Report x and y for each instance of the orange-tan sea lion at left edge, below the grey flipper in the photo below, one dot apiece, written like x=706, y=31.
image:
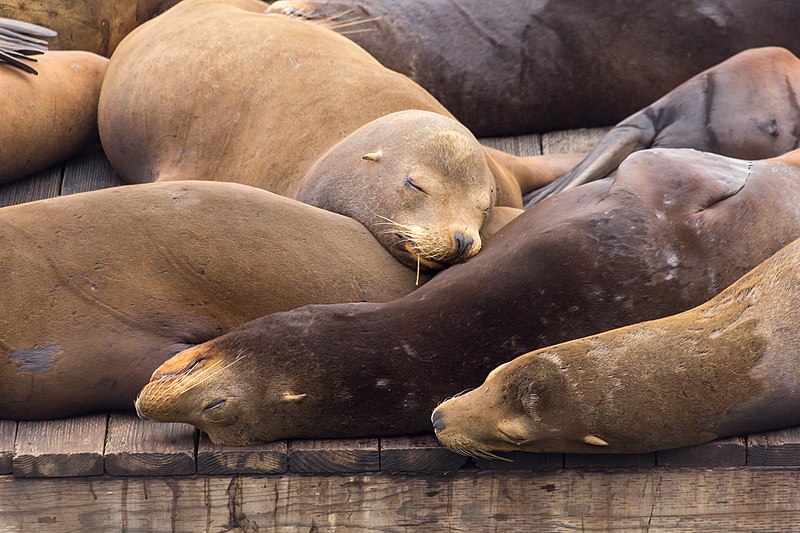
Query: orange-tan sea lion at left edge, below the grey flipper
x=49, y=117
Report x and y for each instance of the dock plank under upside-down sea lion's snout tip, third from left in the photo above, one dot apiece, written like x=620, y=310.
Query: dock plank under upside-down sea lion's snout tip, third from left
x=136, y=447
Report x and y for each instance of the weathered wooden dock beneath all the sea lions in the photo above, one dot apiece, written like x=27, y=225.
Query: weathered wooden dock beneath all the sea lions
x=114, y=472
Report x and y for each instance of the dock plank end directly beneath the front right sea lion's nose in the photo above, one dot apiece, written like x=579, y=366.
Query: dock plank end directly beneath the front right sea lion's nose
x=421, y=453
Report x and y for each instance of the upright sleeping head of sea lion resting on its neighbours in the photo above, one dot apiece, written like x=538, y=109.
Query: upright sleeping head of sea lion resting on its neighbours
x=417, y=180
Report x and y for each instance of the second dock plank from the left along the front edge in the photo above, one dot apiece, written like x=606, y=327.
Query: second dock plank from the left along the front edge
x=60, y=448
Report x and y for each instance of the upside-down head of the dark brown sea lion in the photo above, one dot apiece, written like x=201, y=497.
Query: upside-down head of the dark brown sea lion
x=222, y=389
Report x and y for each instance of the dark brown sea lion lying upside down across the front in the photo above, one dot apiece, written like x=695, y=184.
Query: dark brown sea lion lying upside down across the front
x=661, y=238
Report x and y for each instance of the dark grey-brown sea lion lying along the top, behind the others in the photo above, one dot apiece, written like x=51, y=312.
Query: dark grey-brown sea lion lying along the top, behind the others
x=511, y=67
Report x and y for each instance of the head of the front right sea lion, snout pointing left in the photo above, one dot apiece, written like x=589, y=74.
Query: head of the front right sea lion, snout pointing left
x=528, y=404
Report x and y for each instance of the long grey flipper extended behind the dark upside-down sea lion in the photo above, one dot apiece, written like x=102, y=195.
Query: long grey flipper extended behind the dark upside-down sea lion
x=631, y=135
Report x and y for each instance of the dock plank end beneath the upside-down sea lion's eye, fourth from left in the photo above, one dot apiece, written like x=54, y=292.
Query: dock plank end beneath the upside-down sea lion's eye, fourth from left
x=270, y=458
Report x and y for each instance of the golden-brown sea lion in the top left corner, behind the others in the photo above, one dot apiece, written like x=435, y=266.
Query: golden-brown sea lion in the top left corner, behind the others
x=91, y=25
